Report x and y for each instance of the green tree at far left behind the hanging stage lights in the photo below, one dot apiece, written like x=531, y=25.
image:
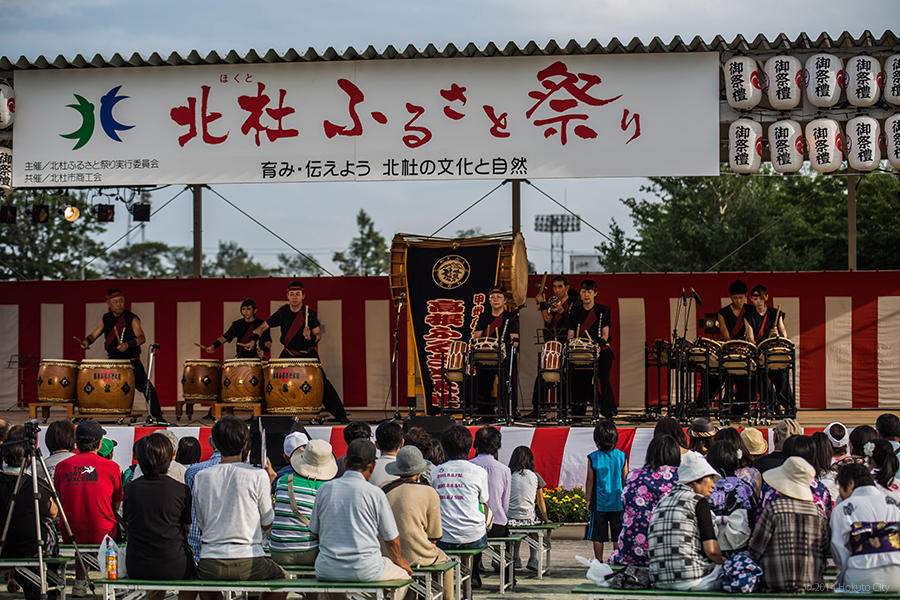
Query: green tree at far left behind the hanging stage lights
x=56, y=249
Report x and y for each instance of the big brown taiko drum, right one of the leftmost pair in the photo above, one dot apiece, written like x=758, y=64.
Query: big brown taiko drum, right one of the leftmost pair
x=105, y=387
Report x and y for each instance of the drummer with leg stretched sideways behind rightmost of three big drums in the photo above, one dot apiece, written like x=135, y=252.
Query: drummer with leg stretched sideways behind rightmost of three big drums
x=300, y=334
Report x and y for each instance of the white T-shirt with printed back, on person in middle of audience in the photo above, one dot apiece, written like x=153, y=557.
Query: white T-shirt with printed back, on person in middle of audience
x=462, y=488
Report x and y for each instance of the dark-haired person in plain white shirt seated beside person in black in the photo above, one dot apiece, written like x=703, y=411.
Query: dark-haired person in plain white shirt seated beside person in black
x=233, y=505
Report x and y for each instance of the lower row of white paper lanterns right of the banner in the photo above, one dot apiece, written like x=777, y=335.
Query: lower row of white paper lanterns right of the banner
x=821, y=140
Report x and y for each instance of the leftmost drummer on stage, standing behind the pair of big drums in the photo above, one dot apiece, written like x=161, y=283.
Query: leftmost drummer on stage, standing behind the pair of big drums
x=123, y=338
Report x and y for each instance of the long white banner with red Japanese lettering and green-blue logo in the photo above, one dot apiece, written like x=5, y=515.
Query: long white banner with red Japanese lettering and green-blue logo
x=473, y=118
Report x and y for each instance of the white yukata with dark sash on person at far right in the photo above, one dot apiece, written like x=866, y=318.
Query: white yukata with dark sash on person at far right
x=866, y=504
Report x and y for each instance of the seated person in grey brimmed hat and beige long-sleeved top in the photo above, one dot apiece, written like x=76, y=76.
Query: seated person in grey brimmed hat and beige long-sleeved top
x=417, y=511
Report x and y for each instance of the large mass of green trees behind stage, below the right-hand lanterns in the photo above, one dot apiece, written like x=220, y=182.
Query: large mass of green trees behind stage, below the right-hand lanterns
x=734, y=222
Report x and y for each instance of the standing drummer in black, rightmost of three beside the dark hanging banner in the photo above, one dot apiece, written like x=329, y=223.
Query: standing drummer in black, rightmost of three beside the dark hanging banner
x=592, y=320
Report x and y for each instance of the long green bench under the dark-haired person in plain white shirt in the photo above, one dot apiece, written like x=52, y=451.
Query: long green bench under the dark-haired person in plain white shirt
x=135, y=588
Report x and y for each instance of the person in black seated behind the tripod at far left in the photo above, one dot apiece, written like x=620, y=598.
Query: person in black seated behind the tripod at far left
x=21, y=537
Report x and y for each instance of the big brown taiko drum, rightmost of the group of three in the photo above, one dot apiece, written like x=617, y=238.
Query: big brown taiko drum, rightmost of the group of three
x=294, y=385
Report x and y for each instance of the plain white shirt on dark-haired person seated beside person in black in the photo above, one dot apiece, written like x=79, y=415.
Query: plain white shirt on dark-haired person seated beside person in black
x=232, y=502
